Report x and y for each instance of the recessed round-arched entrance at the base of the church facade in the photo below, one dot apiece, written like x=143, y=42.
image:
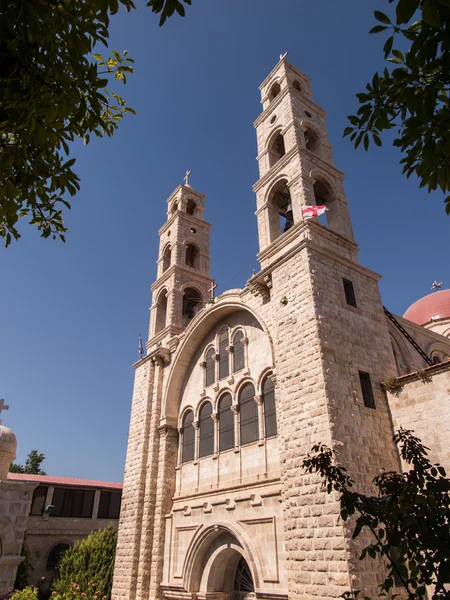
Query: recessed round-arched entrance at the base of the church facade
x=222, y=566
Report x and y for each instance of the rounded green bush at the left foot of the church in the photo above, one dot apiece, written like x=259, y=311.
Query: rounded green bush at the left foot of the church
x=89, y=561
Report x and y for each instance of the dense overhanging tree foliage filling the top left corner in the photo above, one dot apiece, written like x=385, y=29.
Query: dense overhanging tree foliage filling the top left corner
x=54, y=90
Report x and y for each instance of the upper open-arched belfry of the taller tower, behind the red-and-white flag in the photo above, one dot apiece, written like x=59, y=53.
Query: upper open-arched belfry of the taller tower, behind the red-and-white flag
x=295, y=162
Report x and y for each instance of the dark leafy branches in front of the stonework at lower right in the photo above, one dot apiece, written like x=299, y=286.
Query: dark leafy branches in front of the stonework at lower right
x=409, y=519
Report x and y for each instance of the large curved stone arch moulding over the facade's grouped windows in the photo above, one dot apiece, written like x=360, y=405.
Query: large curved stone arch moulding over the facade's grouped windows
x=194, y=336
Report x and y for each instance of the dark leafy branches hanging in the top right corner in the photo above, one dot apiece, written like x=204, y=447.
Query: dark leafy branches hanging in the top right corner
x=414, y=96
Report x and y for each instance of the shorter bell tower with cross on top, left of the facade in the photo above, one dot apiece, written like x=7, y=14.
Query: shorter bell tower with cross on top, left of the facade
x=183, y=285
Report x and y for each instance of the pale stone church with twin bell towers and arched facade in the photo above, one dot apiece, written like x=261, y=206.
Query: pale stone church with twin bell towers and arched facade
x=234, y=391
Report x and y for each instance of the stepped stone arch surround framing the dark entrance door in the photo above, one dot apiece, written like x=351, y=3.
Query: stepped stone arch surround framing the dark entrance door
x=213, y=553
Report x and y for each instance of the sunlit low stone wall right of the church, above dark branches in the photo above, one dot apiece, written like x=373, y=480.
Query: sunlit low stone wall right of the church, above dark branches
x=424, y=407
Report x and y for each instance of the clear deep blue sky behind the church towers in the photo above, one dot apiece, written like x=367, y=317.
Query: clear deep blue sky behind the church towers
x=72, y=313
